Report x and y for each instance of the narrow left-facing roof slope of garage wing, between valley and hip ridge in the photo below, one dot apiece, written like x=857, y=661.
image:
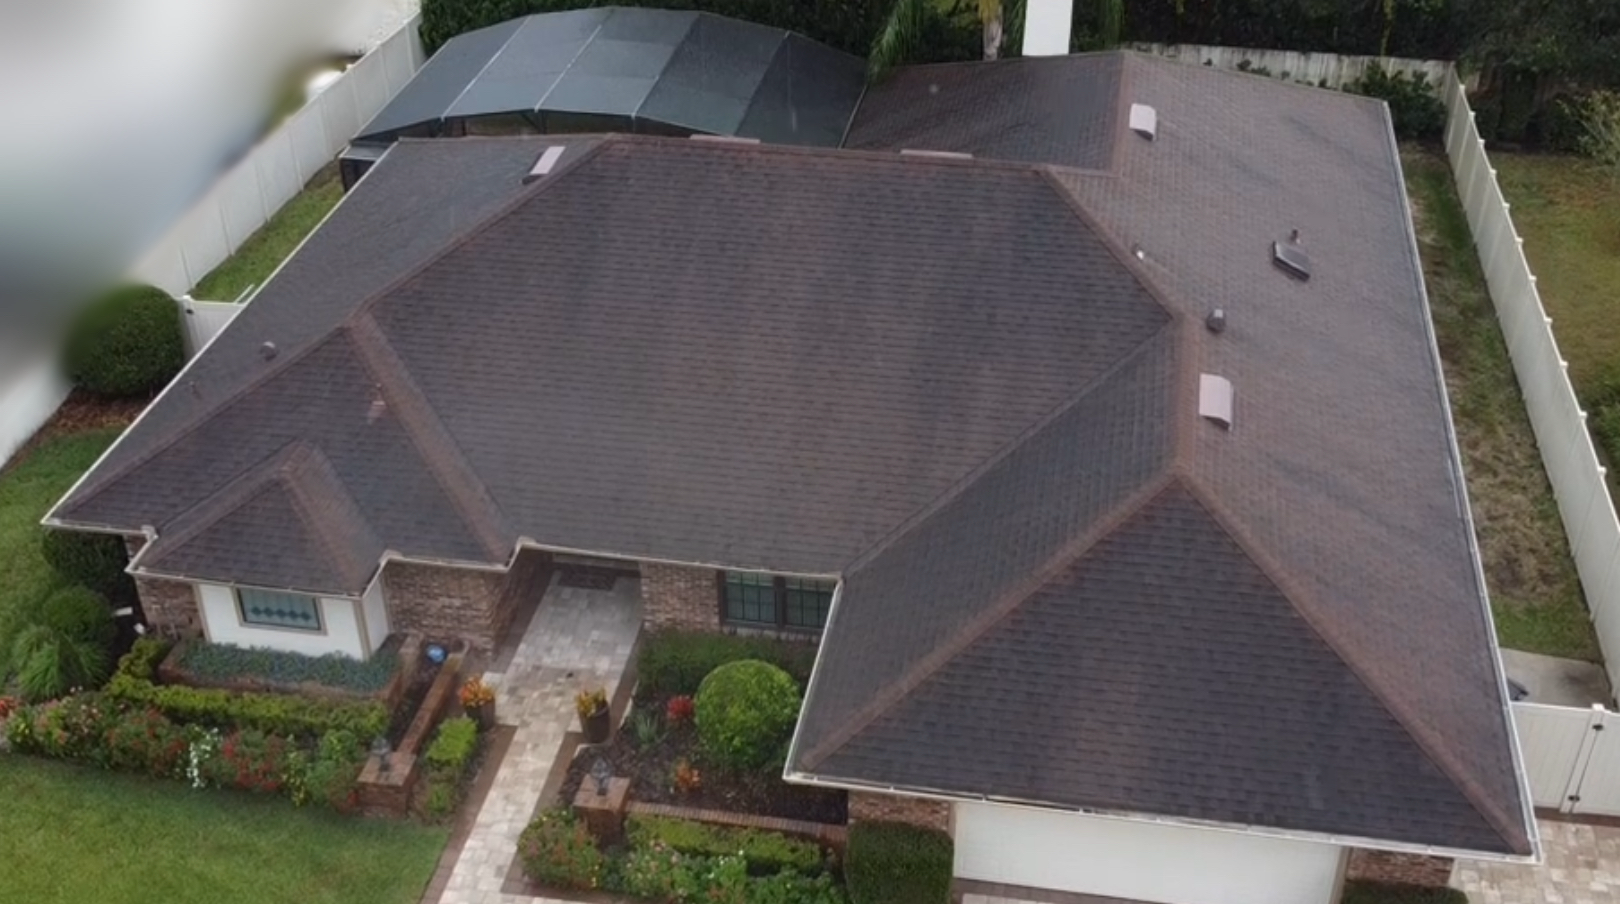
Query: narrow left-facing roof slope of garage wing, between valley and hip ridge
x=950, y=576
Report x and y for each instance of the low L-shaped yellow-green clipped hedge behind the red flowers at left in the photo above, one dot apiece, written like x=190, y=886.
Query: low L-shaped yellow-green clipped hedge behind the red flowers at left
x=273, y=714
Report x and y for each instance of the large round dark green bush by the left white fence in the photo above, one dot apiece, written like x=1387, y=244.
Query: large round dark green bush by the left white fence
x=127, y=344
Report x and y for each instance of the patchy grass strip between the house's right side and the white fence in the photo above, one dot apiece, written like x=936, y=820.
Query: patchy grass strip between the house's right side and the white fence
x=1535, y=592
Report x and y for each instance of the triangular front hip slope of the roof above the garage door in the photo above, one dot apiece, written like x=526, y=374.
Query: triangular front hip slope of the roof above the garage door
x=1164, y=673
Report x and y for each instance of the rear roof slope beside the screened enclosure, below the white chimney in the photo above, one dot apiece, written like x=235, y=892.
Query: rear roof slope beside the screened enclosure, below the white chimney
x=1062, y=111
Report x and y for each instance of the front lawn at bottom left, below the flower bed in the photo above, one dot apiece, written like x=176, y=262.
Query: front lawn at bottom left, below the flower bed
x=74, y=835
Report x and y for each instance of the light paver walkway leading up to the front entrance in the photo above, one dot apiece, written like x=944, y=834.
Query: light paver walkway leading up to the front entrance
x=579, y=639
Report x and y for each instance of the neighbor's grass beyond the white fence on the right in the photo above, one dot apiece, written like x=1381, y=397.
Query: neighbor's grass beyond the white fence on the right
x=1569, y=213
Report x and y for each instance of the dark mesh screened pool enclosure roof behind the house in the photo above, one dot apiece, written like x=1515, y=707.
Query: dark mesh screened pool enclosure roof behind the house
x=636, y=70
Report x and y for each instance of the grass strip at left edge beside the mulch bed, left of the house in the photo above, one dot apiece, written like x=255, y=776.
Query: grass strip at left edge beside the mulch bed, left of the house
x=27, y=493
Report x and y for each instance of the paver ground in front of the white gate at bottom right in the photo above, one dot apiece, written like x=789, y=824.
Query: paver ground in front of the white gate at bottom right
x=1584, y=868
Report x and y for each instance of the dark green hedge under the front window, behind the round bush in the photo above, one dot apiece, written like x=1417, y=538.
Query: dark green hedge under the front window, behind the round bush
x=676, y=663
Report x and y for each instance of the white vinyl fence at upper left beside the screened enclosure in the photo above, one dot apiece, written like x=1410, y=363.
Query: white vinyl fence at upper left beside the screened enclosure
x=279, y=166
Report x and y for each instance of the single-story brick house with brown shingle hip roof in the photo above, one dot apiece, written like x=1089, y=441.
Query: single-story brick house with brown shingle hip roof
x=1086, y=407
